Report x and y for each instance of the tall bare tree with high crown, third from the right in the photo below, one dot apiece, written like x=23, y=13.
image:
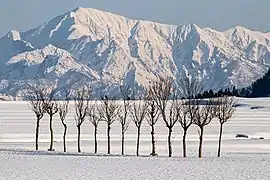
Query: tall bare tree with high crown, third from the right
x=189, y=89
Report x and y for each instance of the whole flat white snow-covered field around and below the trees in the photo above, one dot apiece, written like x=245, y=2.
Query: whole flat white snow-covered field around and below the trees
x=241, y=158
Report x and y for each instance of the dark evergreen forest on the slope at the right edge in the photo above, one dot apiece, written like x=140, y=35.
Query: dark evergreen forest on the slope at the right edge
x=259, y=88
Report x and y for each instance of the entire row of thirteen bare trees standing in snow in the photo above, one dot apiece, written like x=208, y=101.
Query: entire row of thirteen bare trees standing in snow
x=162, y=100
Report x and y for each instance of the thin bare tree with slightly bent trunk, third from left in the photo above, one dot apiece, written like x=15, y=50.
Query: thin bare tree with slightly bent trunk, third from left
x=63, y=107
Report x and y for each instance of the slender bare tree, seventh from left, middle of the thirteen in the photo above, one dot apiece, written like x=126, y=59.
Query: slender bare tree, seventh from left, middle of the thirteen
x=124, y=113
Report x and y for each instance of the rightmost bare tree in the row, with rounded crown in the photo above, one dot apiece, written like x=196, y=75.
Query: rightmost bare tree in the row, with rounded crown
x=225, y=108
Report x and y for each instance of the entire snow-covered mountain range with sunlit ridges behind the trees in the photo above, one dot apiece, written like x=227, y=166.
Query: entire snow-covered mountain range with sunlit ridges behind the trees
x=104, y=49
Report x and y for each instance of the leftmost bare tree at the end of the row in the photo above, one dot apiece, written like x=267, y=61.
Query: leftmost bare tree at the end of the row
x=36, y=98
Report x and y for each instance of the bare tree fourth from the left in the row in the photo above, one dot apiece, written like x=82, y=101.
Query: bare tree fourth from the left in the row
x=82, y=99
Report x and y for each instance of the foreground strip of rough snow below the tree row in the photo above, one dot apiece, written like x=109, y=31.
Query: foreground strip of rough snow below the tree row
x=32, y=165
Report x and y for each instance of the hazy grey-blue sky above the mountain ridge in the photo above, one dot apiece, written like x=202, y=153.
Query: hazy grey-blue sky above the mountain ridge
x=218, y=14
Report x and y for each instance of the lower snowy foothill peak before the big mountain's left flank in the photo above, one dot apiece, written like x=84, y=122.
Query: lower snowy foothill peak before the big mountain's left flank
x=50, y=62
